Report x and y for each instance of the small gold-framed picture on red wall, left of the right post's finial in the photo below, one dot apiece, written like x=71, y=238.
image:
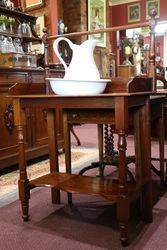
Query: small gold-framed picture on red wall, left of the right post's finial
x=134, y=13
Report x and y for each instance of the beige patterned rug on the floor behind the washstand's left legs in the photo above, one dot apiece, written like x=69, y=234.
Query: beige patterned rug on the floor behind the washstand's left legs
x=80, y=156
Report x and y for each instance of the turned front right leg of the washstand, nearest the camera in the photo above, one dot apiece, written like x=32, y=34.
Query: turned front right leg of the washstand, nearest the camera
x=123, y=203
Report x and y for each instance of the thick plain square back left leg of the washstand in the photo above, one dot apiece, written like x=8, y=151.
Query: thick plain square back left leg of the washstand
x=53, y=151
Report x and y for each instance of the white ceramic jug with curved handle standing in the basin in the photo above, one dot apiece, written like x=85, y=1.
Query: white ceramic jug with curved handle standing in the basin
x=82, y=65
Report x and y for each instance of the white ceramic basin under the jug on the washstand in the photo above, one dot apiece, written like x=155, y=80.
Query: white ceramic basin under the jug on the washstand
x=77, y=87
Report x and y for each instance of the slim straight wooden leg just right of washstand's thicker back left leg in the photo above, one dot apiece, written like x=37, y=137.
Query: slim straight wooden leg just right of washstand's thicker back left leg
x=67, y=149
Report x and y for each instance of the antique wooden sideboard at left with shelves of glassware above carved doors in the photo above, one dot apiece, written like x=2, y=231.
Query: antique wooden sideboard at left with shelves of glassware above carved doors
x=19, y=67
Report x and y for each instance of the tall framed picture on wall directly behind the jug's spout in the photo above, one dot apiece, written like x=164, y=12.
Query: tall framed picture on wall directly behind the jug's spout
x=97, y=19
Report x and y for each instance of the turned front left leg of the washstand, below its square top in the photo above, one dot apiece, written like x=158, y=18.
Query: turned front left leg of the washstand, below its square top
x=24, y=191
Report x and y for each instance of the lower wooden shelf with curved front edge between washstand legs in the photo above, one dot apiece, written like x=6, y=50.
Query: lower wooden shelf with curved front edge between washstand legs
x=83, y=184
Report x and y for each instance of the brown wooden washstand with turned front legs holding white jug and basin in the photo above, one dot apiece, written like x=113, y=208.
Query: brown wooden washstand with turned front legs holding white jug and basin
x=132, y=103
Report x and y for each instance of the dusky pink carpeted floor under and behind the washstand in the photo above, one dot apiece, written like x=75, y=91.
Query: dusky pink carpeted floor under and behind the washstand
x=89, y=225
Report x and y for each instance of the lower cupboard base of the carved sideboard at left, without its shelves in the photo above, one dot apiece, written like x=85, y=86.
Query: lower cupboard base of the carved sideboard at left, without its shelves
x=36, y=130
